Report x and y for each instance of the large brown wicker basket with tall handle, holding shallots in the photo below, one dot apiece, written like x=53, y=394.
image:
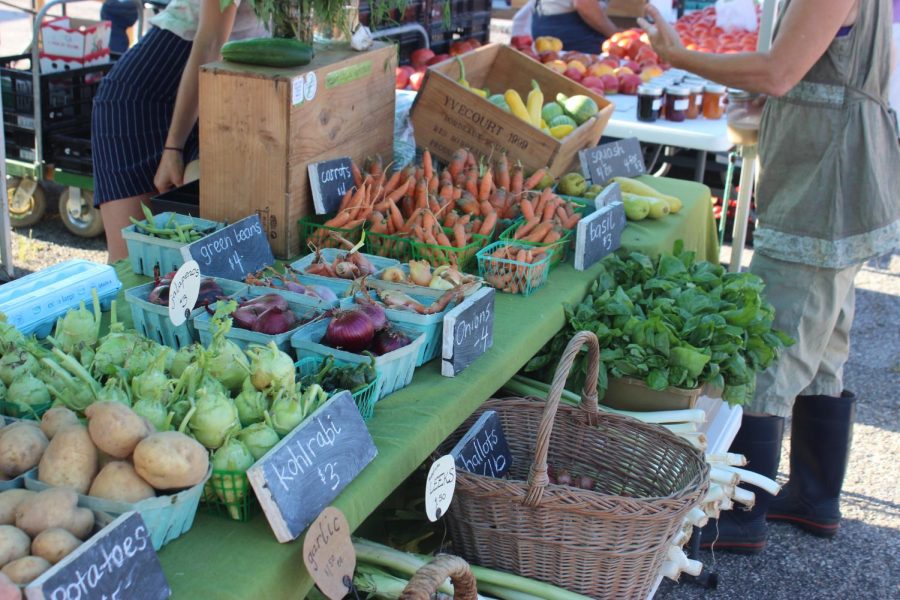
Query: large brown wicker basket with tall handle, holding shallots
x=609, y=542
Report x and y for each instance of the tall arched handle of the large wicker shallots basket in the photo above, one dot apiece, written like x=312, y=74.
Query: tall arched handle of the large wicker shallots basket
x=538, y=478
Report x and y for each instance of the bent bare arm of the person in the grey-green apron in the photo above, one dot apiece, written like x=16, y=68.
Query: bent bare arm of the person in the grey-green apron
x=807, y=29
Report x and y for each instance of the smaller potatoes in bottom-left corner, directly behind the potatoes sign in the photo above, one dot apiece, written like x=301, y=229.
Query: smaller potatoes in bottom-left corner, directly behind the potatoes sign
x=37, y=530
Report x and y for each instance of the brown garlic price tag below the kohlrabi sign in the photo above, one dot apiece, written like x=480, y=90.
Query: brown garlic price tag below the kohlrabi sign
x=328, y=553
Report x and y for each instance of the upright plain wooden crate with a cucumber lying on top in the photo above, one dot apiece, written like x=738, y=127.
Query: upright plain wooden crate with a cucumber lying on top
x=261, y=127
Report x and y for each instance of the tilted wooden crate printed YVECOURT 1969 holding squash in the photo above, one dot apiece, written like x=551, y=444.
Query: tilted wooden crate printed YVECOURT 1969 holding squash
x=446, y=116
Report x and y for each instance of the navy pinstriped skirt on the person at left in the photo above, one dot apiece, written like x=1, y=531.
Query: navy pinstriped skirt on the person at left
x=131, y=116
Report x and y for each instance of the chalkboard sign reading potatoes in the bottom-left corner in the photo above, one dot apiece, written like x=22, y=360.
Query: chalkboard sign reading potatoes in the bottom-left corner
x=118, y=562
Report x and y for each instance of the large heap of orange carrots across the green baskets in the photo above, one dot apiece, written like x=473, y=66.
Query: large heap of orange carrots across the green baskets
x=446, y=207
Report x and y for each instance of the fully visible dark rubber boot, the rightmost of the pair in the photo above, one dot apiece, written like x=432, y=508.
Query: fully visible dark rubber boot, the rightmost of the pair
x=821, y=434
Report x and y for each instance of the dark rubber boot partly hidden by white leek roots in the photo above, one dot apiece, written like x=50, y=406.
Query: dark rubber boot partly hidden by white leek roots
x=744, y=531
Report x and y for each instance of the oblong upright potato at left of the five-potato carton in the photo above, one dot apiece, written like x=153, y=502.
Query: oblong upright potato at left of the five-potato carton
x=70, y=460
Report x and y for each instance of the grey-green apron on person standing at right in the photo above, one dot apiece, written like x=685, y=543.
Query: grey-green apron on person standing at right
x=829, y=180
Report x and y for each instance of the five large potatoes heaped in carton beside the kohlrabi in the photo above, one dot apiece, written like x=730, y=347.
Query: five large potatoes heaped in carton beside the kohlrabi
x=118, y=456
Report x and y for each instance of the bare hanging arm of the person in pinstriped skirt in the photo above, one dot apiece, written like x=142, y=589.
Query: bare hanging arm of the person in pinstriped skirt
x=212, y=33
